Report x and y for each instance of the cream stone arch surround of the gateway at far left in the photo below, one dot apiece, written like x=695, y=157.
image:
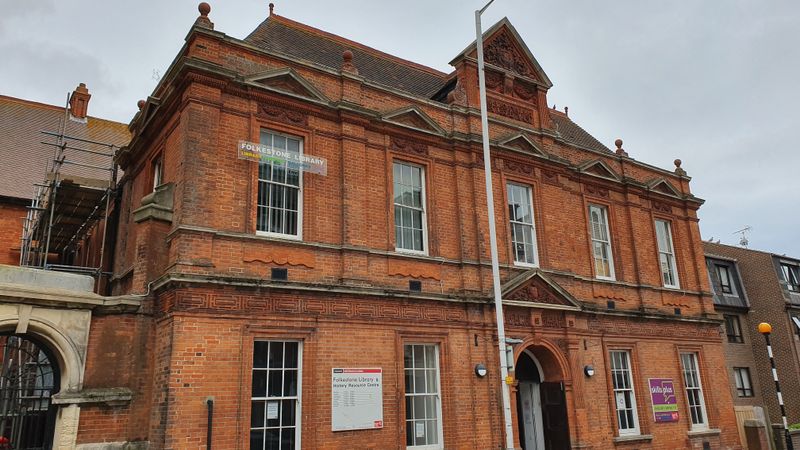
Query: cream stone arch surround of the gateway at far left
x=56, y=309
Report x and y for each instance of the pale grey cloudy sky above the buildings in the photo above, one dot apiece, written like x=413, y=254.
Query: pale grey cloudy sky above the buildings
x=714, y=83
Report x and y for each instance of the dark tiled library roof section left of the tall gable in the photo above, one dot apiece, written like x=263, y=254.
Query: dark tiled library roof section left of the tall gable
x=286, y=37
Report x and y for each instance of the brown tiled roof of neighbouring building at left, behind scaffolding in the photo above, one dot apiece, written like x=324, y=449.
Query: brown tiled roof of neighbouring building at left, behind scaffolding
x=26, y=160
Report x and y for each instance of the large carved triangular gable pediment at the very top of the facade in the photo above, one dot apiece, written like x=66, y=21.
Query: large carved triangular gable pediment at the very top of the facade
x=504, y=48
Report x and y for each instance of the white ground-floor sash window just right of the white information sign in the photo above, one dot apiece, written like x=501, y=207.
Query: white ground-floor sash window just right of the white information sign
x=423, y=404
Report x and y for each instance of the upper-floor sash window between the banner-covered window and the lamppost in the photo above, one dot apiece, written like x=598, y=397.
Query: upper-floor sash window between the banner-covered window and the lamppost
x=409, y=208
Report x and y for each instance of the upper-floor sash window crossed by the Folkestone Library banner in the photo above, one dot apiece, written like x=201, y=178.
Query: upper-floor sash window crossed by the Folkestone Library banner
x=279, y=210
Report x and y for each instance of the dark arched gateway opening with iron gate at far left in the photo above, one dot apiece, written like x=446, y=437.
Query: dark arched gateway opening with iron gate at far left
x=28, y=379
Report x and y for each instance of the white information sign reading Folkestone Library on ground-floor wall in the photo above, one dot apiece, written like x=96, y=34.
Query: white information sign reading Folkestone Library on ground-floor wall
x=357, y=402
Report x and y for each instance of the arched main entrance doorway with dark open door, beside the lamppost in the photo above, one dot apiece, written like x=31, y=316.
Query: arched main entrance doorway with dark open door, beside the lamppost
x=541, y=407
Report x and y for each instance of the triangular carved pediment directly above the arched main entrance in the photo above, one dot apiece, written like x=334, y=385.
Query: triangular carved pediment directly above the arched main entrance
x=534, y=287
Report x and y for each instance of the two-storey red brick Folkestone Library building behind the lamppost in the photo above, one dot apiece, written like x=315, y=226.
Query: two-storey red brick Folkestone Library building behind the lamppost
x=265, y=286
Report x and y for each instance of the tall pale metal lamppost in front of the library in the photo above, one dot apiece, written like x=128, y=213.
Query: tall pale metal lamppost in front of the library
x=498, y=300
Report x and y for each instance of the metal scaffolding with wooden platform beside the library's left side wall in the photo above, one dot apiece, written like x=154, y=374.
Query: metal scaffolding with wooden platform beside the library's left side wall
x=76, y=194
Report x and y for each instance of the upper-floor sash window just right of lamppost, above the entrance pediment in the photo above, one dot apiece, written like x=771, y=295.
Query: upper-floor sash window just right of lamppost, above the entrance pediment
x=523, y=231
